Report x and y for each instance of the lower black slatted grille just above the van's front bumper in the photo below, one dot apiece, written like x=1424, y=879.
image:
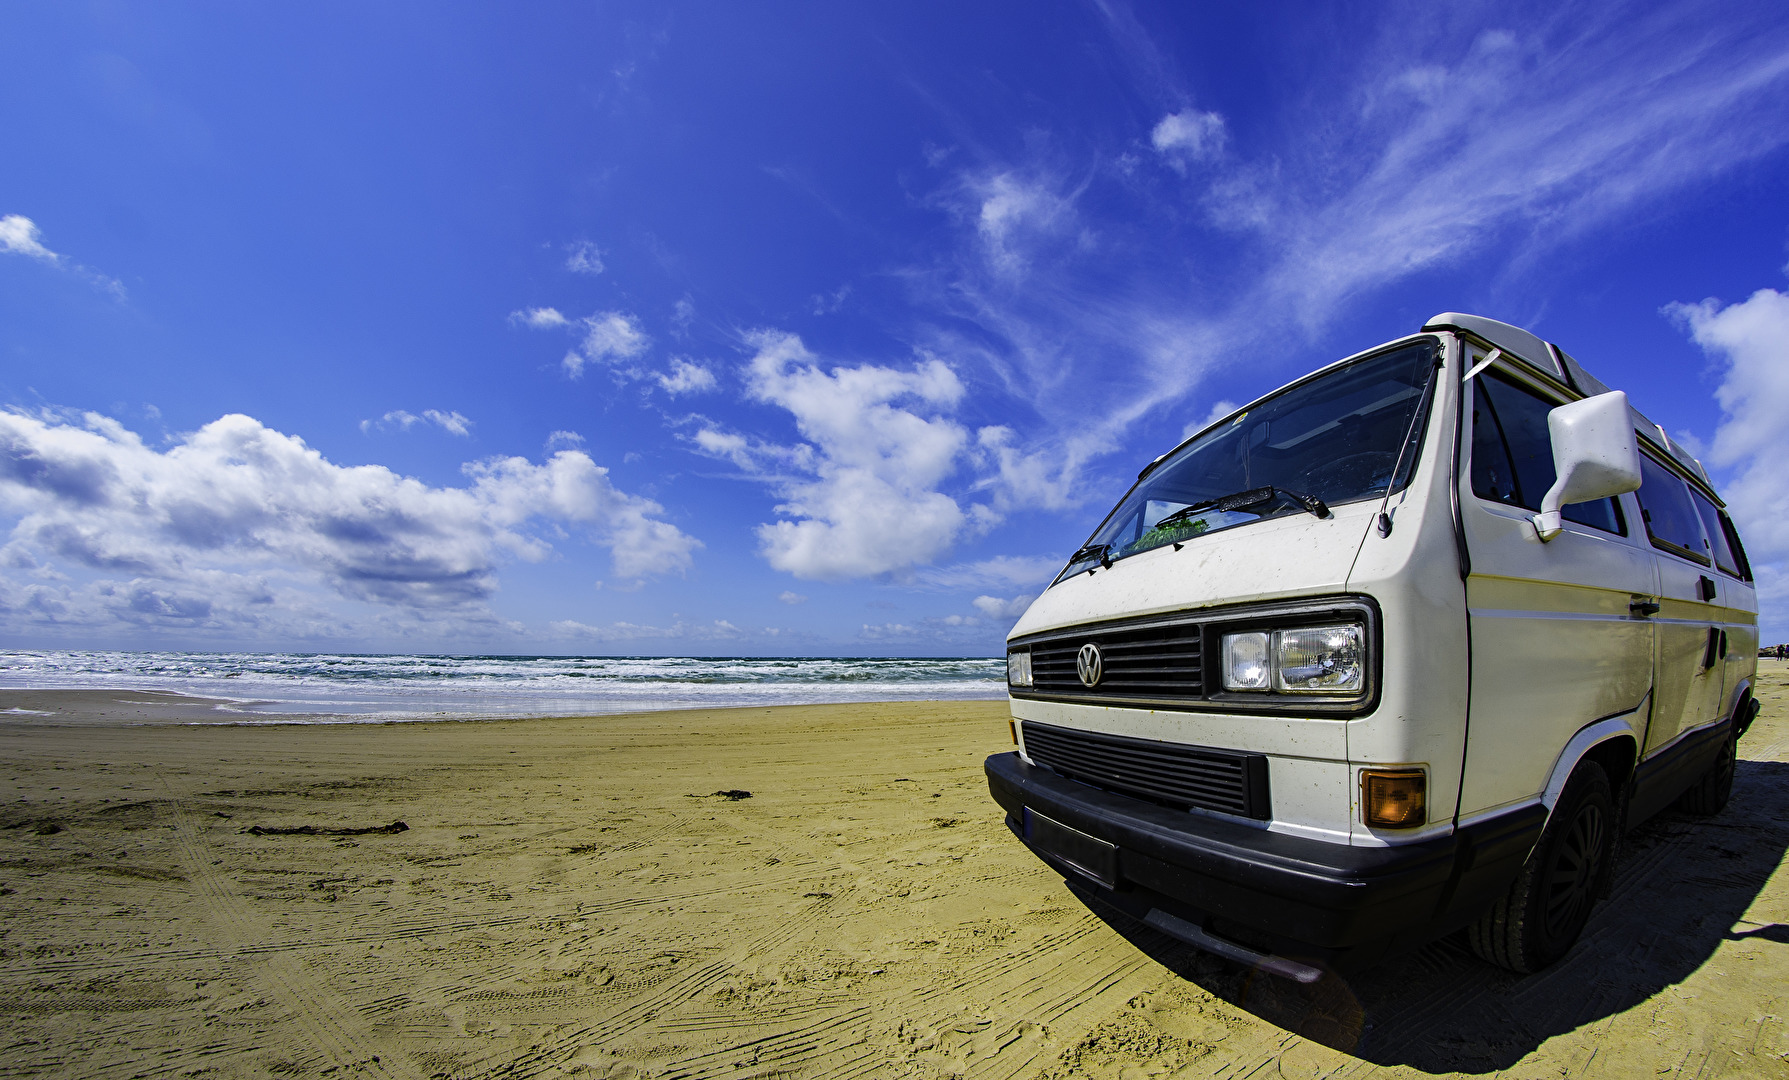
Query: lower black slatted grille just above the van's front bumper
x=1169, y=773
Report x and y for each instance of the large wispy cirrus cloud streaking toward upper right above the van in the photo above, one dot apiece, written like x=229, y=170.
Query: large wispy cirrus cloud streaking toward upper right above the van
x=1445, y=146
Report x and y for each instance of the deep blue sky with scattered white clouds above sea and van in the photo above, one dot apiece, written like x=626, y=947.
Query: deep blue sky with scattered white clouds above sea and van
x=720, y=328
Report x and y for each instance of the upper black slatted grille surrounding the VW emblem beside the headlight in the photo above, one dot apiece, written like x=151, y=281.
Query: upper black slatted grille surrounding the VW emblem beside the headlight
x=1135, y=662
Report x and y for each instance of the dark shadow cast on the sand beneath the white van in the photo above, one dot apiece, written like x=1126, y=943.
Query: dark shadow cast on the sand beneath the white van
x=1681, y=888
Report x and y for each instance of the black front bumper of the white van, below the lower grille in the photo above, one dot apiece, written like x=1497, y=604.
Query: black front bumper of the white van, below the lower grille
x=1275, y=890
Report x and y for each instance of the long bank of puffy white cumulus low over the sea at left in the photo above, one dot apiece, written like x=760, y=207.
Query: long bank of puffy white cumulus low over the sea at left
x=237, y=516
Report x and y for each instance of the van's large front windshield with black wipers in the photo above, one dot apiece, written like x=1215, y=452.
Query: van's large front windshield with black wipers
x=1334, y=439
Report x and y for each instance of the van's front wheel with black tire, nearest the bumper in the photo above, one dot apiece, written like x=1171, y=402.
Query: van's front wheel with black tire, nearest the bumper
x=1547, y=907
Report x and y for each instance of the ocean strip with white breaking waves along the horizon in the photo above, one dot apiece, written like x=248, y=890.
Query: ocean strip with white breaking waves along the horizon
x=344, y=688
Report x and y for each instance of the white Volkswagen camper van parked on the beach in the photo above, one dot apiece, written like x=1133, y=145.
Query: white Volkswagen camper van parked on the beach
x=1393, y=652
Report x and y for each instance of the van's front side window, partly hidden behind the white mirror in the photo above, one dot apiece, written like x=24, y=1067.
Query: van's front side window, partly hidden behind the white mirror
x=1513, y=453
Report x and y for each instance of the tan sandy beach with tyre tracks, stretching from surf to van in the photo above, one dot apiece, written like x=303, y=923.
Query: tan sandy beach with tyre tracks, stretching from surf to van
x=604, y=899
